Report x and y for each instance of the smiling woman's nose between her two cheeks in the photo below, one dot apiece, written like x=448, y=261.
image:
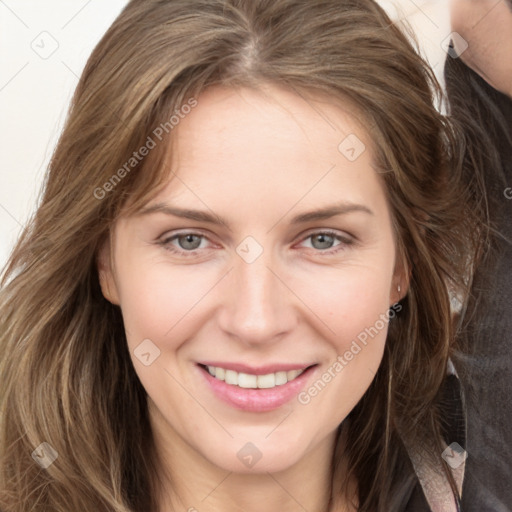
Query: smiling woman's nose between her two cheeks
x=258, y=306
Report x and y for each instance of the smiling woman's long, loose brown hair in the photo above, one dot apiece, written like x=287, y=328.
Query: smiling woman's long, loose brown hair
x=66, y=377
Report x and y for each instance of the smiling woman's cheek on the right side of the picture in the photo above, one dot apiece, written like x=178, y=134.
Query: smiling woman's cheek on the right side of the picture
x=355, y=307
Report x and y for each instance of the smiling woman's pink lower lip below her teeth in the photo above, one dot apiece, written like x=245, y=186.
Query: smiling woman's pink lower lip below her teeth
x=257, y=400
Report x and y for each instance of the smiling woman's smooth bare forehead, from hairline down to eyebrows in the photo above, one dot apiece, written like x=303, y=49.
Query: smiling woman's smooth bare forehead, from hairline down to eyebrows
x=260, y=152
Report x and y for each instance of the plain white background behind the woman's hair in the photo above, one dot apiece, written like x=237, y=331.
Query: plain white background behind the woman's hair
x=35, y=87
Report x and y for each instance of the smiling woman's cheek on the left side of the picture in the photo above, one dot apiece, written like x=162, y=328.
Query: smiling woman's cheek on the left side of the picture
x=159, y=303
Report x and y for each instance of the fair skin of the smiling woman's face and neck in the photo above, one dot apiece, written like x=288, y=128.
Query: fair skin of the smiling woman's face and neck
x=256, y=160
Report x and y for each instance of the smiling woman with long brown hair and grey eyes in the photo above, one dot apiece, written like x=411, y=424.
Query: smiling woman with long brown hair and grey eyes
x=235, y=293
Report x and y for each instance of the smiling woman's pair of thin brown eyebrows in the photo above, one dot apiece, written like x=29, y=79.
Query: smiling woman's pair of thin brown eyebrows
x=324, y=213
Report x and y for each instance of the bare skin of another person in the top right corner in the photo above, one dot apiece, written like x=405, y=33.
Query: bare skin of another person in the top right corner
x=486, y=26
